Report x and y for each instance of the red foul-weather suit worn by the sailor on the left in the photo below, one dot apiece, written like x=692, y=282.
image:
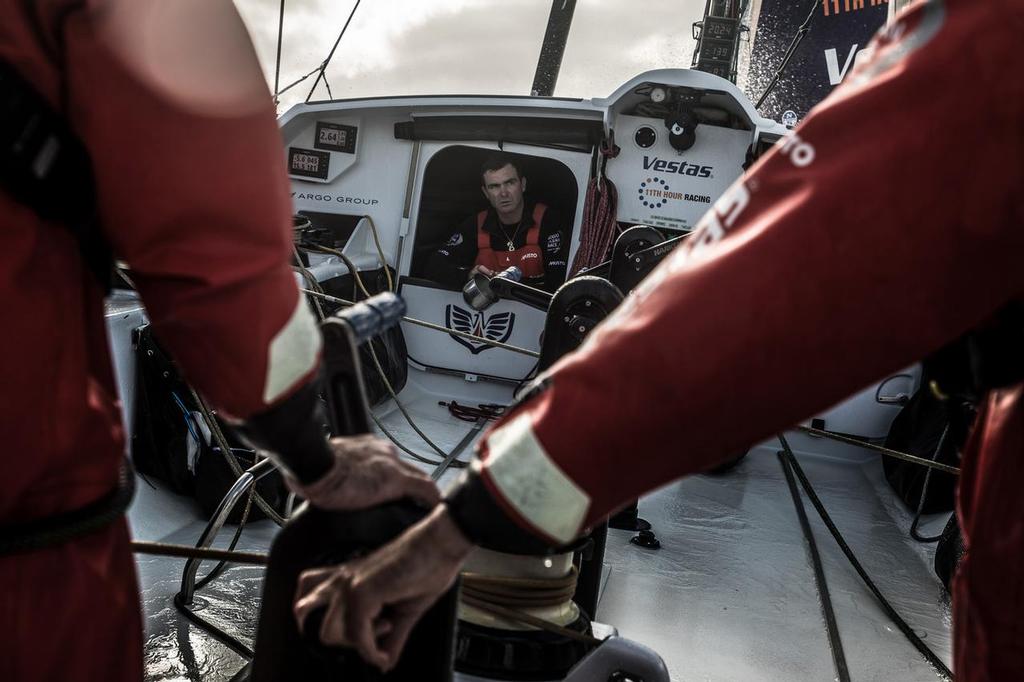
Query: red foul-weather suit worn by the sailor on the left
x=193, y=195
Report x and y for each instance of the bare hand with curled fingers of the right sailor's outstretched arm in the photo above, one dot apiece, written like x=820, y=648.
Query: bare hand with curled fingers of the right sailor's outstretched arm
x=374, y=603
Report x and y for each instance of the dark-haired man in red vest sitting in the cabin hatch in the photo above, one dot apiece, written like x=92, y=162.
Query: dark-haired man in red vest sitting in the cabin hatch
x=514, y=232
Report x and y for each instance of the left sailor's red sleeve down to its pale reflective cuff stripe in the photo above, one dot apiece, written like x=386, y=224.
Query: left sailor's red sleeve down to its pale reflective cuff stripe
x=193, y=194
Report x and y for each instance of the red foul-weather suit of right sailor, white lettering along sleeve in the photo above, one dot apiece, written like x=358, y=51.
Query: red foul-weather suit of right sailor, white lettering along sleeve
x=891, y=223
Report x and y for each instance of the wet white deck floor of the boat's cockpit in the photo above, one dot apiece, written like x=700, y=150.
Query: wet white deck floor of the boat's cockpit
x=730, y=596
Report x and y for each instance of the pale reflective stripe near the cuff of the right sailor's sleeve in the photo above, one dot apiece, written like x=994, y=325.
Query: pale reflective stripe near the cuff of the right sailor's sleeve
x=530, y=481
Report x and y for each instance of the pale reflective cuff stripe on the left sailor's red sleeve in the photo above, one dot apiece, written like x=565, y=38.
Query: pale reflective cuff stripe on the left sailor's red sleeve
x=293, y=353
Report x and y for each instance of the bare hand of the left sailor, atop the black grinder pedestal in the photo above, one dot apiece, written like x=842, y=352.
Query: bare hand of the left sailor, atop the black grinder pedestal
x=367, y=472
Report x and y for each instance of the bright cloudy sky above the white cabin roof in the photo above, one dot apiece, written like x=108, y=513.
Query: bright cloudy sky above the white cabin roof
x=467, y=47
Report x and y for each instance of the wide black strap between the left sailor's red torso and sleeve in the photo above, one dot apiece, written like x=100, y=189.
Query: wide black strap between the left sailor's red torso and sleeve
x=45, y=166
